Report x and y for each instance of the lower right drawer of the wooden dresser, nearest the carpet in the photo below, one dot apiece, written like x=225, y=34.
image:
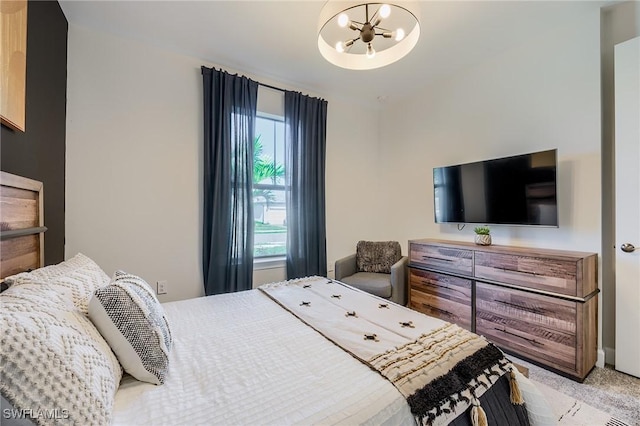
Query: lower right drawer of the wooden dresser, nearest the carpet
x=539, y=327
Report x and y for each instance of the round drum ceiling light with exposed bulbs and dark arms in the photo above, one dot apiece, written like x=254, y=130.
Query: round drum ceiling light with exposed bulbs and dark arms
x=362, y=36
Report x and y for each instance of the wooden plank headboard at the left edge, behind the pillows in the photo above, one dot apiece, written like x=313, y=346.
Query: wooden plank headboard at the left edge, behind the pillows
x=21, y=224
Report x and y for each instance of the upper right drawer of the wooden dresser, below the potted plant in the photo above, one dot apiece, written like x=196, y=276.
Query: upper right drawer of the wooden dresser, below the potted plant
x=549, y=274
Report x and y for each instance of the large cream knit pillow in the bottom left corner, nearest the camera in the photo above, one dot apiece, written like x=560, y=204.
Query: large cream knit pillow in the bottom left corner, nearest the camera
x=53, y=358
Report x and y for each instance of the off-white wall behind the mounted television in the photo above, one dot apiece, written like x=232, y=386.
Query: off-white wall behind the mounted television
x=543, y=95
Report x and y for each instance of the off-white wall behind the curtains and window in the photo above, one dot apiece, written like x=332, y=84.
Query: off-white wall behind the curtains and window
x=134, y=163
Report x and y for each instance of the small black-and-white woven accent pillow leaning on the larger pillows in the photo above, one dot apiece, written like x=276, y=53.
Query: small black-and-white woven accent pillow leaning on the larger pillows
x=131, y=319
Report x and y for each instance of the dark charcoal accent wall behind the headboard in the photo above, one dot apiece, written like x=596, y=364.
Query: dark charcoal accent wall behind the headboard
x=39, y=152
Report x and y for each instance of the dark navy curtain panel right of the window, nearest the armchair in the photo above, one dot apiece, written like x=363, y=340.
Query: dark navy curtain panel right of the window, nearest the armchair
x=305, y=139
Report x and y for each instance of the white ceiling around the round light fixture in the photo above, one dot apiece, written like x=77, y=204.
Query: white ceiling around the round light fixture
x=278, y=39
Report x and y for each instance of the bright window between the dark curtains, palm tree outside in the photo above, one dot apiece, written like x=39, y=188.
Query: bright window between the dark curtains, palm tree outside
x=269, y=205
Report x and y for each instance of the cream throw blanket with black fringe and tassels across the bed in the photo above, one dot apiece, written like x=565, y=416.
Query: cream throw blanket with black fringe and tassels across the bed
x=439, y=367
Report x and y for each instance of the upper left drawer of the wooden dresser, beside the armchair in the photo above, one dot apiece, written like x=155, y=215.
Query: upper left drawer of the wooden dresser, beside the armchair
x=448, y=259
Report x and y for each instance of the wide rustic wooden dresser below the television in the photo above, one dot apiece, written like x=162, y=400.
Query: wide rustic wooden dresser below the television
x=541, y=305
